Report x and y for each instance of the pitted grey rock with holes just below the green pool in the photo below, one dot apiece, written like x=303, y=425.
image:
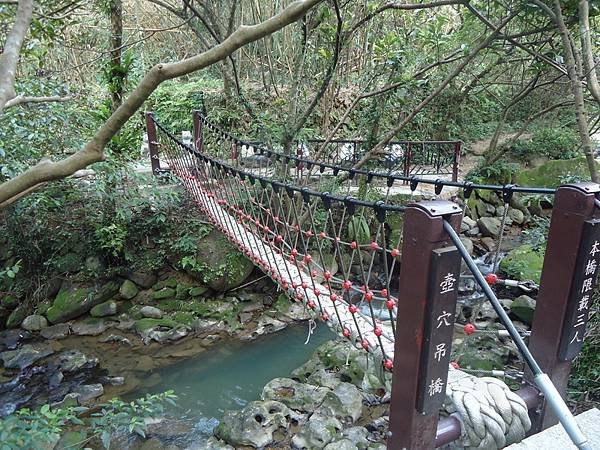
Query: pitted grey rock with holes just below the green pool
x=254, y=425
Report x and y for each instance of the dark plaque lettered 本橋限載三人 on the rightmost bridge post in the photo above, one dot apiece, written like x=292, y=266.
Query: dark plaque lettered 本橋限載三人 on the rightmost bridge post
x=580, y=299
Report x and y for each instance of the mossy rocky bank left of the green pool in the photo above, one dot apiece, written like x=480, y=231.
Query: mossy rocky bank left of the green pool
x=119, y=343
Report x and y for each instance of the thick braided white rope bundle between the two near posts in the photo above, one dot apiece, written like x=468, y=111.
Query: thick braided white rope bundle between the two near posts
x=491, y=415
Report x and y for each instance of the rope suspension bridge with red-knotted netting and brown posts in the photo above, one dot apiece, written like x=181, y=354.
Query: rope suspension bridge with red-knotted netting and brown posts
x=385, y=275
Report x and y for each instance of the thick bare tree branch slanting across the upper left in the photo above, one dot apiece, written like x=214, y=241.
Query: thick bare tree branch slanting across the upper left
x=93, y=151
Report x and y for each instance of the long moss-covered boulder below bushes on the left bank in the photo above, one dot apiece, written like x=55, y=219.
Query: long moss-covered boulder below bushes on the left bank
x=73, y=302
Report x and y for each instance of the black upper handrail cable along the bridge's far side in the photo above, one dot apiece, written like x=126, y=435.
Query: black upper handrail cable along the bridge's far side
x=467, y=186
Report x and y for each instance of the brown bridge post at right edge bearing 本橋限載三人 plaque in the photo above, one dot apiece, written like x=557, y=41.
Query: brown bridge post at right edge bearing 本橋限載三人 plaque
x=562, y=308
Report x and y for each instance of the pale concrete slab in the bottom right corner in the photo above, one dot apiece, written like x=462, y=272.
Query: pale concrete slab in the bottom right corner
x=556, y=437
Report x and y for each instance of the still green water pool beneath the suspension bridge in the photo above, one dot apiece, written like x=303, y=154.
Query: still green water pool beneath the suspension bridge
x=231, y=374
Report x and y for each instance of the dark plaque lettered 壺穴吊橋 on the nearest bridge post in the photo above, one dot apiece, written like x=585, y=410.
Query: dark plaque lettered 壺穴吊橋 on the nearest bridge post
x=438, y=330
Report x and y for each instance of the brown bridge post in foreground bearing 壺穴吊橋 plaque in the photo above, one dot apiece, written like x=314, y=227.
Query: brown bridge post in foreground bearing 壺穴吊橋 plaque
x=413, y=424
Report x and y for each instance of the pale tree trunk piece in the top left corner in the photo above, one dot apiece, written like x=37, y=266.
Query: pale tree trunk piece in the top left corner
x=12, y=47
